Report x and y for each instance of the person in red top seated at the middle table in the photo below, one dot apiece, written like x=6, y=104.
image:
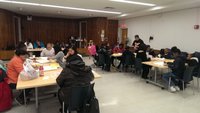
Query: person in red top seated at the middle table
x=117, y=49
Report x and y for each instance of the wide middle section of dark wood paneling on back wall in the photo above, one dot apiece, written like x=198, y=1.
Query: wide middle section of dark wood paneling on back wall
x=49, y=29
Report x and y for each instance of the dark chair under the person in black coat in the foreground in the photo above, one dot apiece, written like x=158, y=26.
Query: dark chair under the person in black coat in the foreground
x=78, y=99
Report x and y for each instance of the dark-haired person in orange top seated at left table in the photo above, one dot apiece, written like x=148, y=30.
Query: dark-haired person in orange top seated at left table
x=14, y=67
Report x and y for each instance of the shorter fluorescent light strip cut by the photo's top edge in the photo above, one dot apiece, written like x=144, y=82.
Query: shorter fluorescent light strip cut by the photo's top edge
x=134, y=2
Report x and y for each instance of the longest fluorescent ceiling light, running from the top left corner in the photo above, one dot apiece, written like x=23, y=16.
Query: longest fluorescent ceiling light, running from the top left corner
x=59, y=7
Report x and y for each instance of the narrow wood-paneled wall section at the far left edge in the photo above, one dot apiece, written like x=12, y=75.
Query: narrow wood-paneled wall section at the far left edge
x=6, y=29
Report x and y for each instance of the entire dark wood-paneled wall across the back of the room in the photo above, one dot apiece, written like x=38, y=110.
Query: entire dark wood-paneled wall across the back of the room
x=54, y=29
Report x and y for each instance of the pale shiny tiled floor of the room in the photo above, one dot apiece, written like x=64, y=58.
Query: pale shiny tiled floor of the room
x=127, y=93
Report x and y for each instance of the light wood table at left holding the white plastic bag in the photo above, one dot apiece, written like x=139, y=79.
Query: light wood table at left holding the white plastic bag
x=48, y=79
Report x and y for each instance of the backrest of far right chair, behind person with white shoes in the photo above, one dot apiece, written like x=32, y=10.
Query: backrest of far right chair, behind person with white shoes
x=187, y=77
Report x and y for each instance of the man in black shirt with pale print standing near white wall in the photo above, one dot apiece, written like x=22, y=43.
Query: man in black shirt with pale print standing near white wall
x=137, y=43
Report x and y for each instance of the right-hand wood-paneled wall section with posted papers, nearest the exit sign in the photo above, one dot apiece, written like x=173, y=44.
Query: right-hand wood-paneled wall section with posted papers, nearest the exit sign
x=95, y=27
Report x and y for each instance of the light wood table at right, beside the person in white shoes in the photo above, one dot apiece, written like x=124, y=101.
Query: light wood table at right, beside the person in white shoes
x=157, y=64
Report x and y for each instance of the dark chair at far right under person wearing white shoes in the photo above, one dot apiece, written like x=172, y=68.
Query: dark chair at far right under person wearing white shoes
x=187, y=77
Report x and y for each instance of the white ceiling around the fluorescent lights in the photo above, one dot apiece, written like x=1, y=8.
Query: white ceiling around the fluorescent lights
x=131, y=9
